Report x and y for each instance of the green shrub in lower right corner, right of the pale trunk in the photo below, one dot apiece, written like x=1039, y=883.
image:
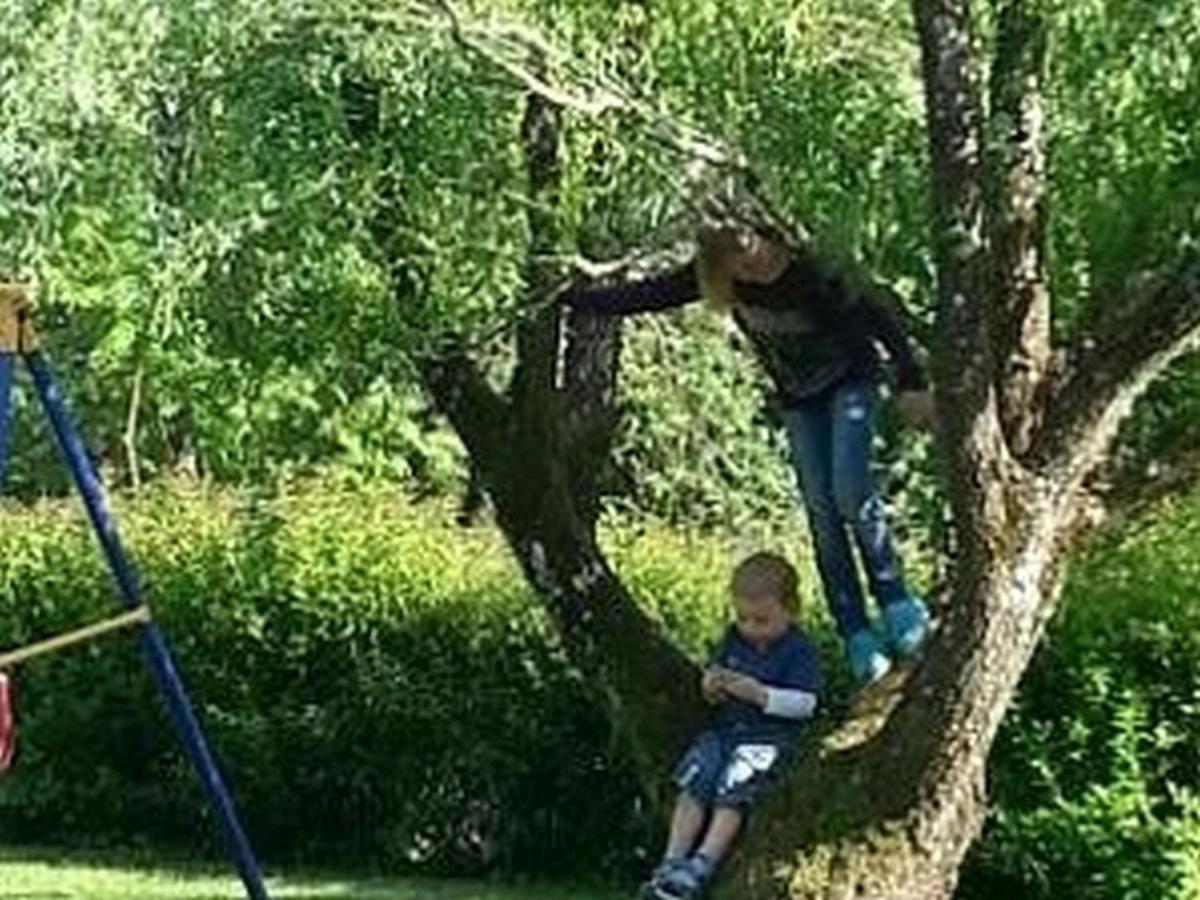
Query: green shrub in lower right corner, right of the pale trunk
x=1096, y=770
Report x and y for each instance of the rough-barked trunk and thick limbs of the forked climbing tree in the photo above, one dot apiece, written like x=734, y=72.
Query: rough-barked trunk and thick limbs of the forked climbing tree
x=885, y=806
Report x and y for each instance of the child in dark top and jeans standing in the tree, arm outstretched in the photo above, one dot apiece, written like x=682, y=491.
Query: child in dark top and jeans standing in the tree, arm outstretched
x=818, y=337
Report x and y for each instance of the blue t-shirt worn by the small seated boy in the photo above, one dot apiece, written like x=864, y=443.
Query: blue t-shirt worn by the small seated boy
x=790, y=662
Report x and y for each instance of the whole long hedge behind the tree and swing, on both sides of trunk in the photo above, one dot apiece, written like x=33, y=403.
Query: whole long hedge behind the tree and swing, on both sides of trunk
x=382, y=687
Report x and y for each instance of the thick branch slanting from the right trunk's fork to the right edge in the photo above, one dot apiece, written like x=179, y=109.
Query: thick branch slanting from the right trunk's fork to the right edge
x=1107, y=373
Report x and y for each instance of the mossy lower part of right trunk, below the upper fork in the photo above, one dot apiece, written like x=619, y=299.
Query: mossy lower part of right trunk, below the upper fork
x=886, y=806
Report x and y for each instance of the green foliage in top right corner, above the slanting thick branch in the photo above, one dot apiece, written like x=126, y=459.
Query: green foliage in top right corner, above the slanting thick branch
x=1125, y=155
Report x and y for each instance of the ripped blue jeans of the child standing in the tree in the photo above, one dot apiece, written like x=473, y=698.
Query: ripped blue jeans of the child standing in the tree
x=831, y=442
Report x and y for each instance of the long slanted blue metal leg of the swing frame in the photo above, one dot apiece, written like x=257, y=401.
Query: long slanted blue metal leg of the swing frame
x=154, y=644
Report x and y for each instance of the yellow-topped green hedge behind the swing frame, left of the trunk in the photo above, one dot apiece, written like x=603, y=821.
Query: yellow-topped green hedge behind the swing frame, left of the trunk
x=344, y=659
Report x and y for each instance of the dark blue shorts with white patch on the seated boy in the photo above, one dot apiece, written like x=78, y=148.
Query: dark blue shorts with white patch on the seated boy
x=727, y=769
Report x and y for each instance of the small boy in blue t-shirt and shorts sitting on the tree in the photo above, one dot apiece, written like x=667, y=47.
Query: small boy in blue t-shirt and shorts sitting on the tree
x=764, y=681
